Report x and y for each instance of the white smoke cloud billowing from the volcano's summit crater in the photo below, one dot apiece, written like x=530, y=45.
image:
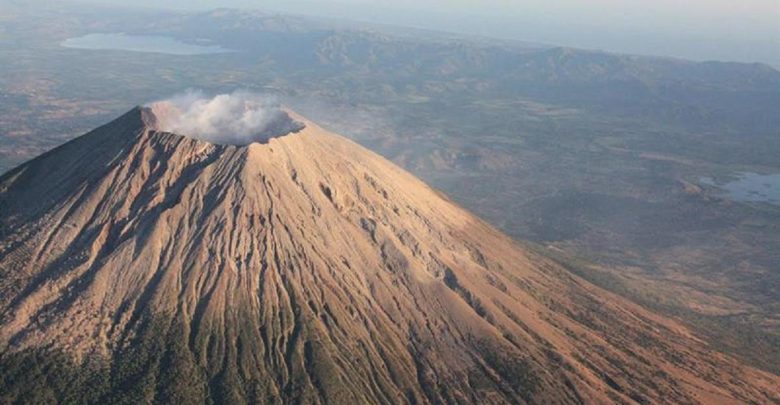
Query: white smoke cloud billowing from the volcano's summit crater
x=238, y=118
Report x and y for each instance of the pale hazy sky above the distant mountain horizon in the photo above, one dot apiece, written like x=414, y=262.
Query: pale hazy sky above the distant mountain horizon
x=739, y=30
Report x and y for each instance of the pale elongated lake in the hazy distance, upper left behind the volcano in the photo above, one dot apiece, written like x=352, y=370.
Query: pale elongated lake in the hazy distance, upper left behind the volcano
x=141, y=43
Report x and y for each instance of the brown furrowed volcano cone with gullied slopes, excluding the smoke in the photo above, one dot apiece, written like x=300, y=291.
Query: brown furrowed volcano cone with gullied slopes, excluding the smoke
x=143, y=266
